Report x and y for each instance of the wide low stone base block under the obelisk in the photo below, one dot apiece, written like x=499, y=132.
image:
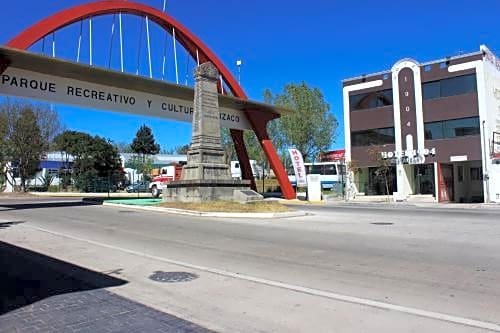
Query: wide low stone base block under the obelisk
x=203, y=190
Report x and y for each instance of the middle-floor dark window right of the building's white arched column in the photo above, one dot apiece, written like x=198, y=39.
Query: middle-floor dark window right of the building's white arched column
x=449, y=129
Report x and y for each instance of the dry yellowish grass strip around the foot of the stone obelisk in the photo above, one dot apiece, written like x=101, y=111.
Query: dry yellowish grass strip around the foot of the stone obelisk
x=229, y=206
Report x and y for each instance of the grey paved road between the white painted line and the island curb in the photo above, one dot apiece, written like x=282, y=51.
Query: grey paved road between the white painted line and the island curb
x=441, y=261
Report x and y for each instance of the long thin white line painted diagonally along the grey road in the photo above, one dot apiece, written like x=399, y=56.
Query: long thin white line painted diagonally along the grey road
x=310, y=291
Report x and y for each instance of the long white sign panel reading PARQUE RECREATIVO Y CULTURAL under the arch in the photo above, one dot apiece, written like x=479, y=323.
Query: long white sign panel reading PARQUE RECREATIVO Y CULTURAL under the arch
x=29, y=84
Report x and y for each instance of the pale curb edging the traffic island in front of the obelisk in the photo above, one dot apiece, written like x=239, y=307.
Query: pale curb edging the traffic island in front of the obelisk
x=208, y=214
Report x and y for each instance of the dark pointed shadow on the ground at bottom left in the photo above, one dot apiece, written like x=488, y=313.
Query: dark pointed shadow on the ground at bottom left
x=27, y=277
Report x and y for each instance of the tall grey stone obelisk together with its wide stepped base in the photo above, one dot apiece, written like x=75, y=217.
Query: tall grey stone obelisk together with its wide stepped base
x=206, y=176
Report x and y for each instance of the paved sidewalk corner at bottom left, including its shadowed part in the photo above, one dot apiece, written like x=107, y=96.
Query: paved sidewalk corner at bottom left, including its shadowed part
x=41, y=294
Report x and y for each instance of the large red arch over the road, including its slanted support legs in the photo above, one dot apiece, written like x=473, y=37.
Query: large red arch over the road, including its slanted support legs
x=191, y=43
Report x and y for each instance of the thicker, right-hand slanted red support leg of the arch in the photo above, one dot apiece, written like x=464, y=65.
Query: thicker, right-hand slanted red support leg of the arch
x=259, y=124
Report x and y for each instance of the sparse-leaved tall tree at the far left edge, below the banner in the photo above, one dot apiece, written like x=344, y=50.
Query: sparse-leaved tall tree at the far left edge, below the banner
x=26, y=132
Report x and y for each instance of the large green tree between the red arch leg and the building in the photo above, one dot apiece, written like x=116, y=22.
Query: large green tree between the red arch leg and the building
x=310, y=127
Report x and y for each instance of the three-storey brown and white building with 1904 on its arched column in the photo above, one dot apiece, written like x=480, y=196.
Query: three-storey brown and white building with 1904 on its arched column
x=427, y=129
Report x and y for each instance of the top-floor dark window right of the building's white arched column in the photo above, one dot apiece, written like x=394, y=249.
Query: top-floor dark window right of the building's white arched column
x=449, y=87
